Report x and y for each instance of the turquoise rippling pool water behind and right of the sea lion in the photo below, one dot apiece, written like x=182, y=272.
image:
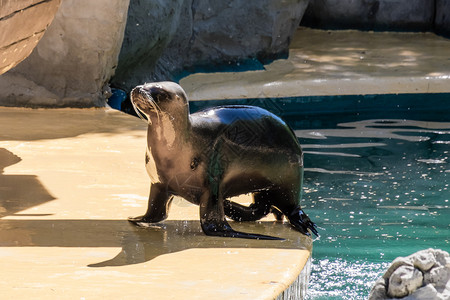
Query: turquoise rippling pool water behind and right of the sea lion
x=376, y=181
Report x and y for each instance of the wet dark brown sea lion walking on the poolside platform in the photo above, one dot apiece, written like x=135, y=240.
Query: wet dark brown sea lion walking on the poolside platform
x=212, y=155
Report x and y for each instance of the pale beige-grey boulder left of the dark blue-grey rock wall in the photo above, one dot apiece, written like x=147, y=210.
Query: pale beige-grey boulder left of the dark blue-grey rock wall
x=74, y=60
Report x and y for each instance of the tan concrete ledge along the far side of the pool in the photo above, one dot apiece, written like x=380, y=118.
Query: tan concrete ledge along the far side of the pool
x=338, y=63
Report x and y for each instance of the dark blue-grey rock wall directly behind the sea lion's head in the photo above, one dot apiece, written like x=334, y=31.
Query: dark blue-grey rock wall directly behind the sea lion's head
x=164, y=37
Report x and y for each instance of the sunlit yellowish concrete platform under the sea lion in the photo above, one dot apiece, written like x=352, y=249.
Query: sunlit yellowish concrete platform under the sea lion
x=69, y=179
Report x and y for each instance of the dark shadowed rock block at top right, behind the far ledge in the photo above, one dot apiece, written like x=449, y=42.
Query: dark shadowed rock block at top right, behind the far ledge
x=371, y=14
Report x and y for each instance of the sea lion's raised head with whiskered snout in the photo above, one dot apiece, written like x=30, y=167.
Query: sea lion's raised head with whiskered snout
x=154, y=99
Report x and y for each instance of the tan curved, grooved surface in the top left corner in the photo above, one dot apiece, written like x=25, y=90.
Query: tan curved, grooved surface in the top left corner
x=22, y=25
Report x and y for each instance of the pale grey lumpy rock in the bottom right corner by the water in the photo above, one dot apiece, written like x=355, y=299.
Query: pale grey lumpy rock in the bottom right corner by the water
x=422, y=275
